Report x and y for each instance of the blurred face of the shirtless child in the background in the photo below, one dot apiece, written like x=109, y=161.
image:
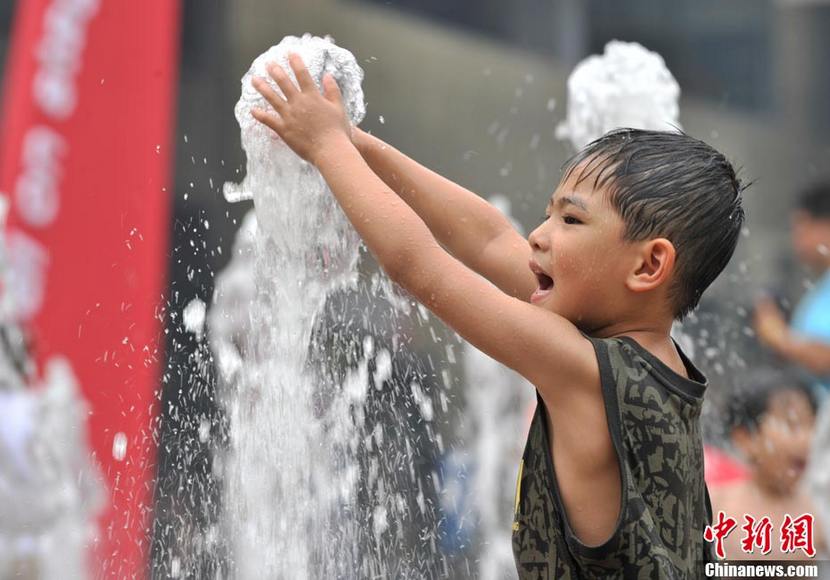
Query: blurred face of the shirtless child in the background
x=779, y=447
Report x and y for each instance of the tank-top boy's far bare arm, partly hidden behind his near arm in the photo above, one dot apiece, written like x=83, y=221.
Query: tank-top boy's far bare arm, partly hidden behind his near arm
x=471, y=229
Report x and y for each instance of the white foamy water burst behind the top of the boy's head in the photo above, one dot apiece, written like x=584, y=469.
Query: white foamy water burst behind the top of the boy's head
x=626, y=86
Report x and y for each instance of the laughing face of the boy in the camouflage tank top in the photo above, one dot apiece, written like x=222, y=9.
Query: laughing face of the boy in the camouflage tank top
x=579, y=255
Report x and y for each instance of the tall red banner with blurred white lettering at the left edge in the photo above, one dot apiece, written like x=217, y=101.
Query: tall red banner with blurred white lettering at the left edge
x=85, y=159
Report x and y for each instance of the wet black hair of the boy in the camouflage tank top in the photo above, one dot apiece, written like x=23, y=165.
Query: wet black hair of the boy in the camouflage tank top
x=667, y=184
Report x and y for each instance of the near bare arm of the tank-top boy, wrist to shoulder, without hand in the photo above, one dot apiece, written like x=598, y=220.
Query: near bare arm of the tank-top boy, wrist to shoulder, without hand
x=526, y=338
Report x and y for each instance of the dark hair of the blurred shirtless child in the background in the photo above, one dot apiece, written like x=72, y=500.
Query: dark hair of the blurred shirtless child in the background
x=751, y=396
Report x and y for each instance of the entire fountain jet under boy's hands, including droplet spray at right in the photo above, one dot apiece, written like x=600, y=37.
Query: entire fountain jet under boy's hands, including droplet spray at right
x=325, y=449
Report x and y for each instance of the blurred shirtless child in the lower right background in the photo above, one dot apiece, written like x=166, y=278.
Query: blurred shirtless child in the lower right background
x=771, y=421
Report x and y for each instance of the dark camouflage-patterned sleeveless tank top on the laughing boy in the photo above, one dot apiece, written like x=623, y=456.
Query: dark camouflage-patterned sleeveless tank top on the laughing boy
x=653, y=418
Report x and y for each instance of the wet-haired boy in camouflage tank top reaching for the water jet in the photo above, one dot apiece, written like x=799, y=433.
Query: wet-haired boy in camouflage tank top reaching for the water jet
x=611, y=484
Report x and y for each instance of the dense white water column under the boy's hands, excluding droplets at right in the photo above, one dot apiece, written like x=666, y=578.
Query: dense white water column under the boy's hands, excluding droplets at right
x=281, y=471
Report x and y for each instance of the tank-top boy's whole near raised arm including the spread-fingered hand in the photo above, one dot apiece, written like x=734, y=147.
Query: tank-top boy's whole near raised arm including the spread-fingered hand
x=532, y=341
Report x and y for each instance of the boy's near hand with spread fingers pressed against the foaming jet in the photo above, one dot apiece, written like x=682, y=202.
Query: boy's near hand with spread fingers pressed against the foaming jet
x=305, y=119
